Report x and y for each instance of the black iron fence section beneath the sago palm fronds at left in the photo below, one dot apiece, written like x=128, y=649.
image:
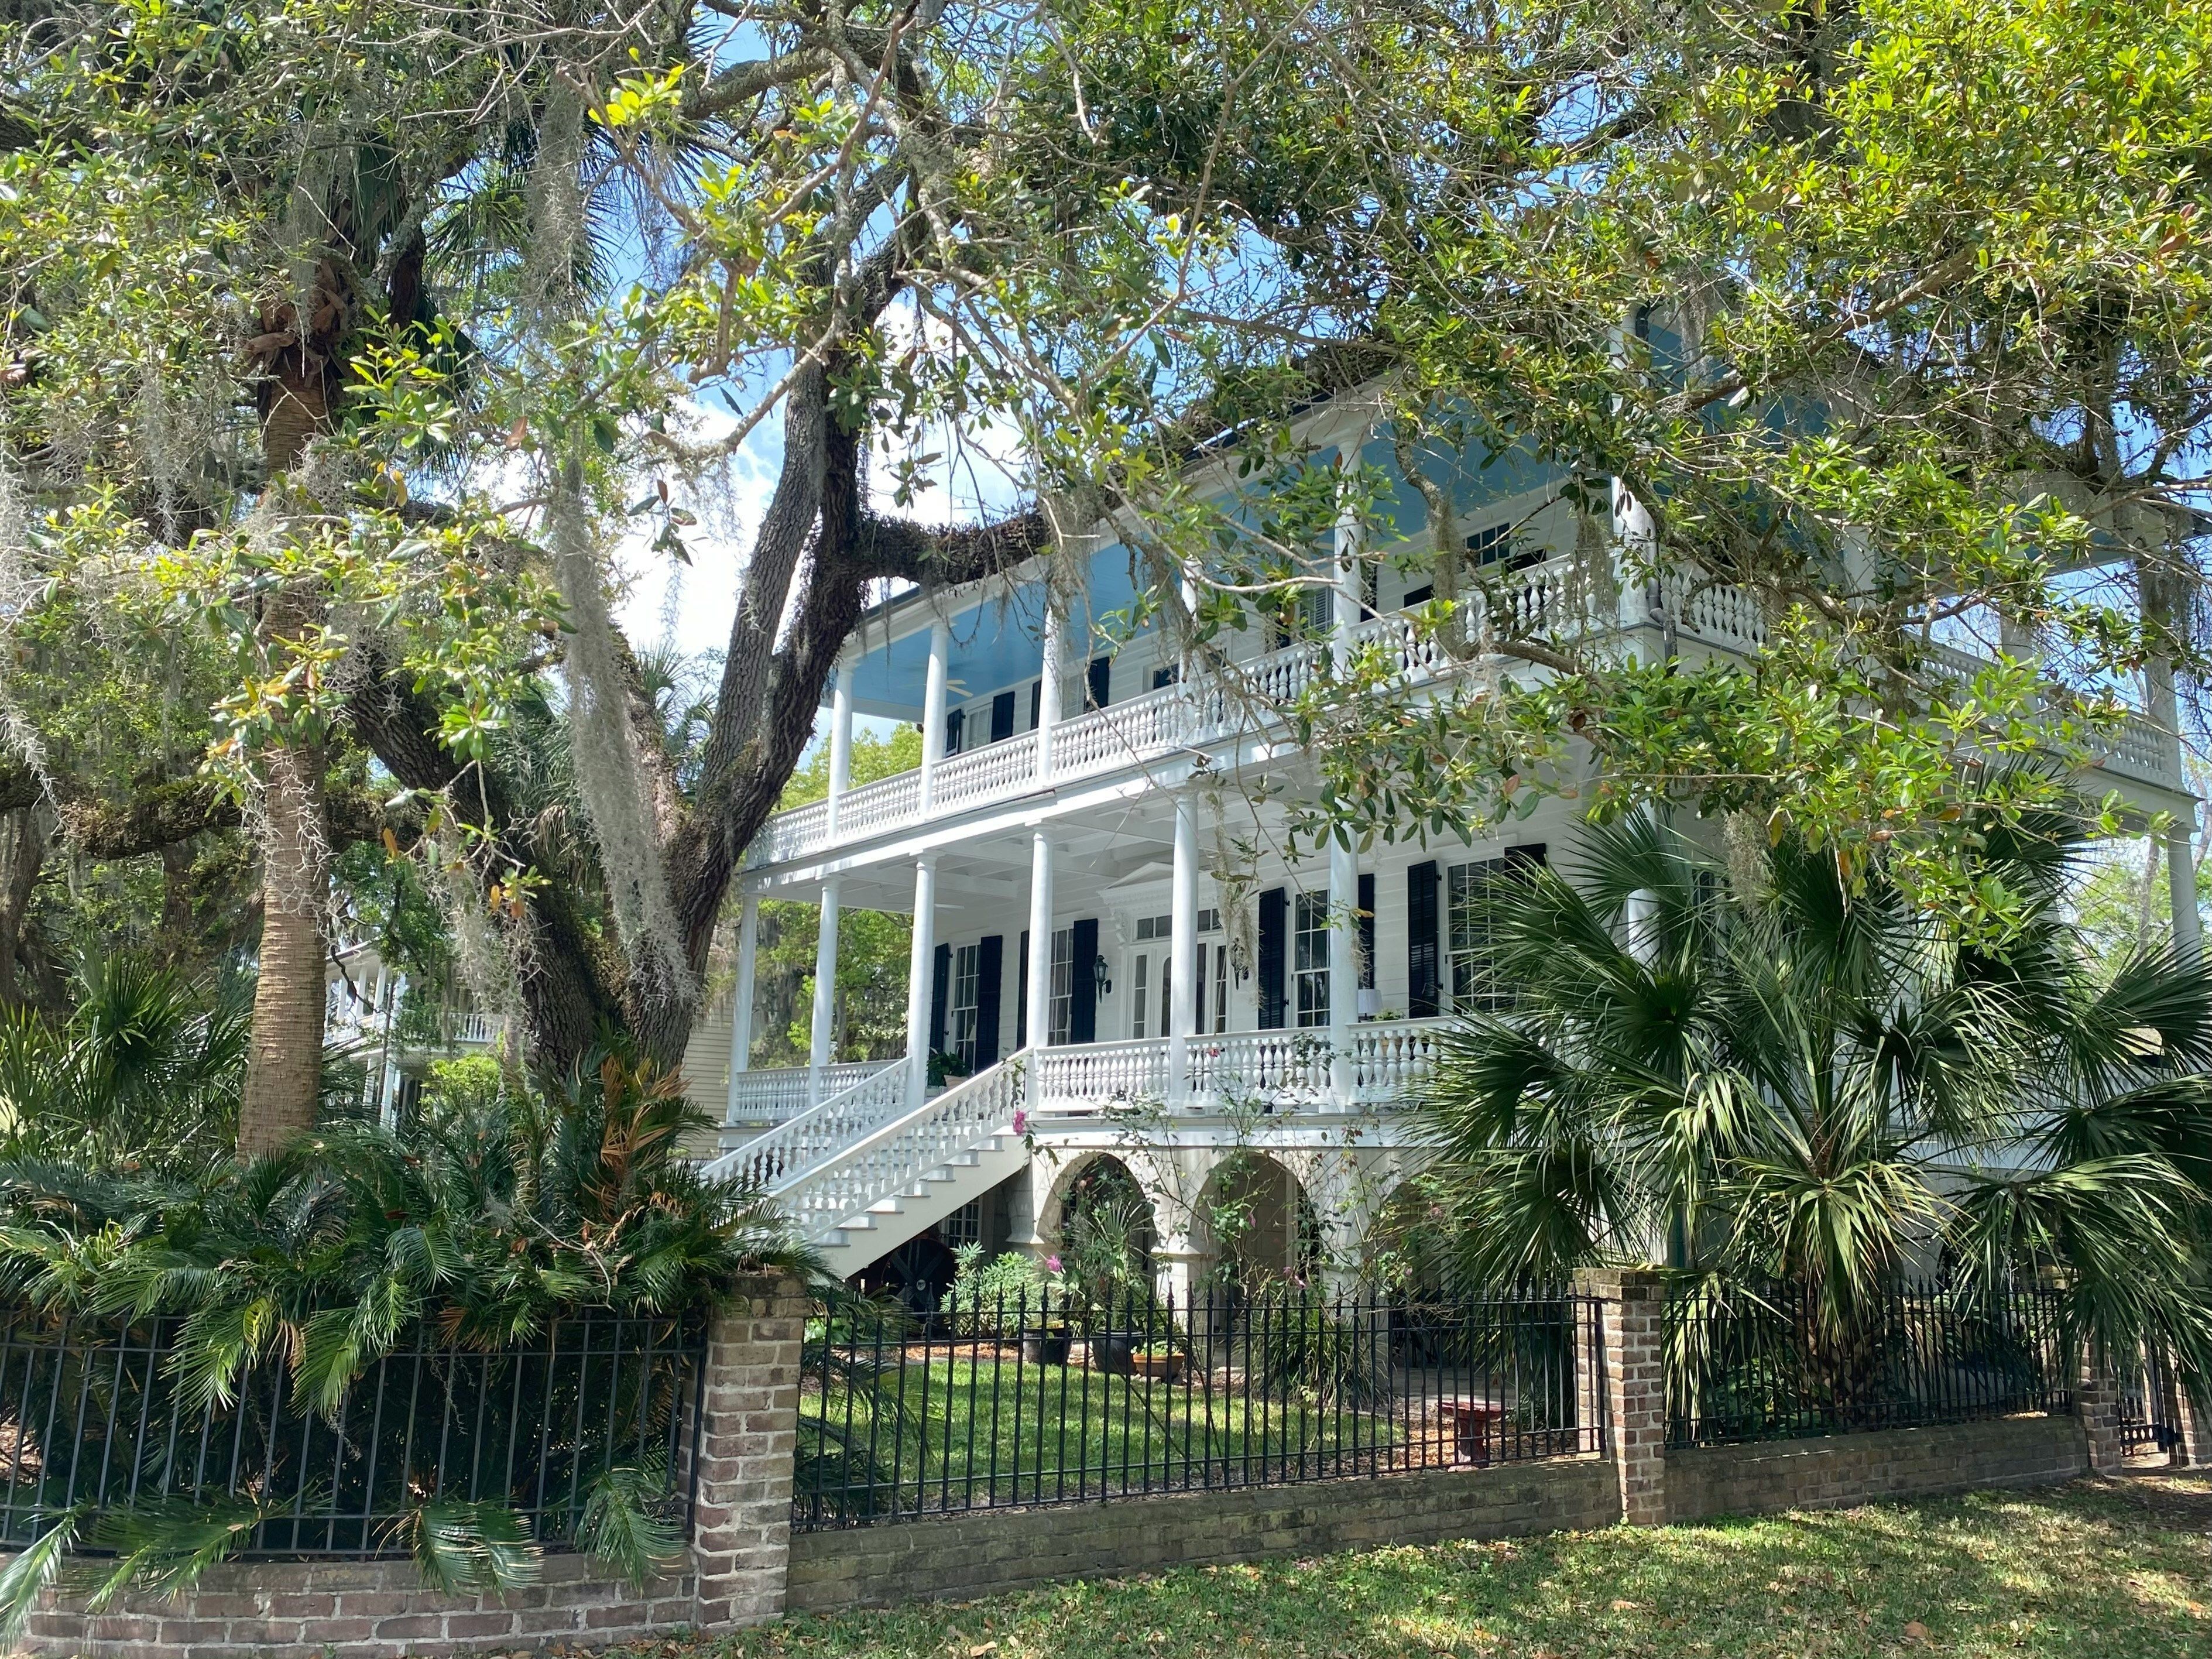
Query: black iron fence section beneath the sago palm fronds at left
x=98, y=1415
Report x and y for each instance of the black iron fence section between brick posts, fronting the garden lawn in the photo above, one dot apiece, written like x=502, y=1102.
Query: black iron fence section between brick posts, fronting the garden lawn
x=1043, y=1401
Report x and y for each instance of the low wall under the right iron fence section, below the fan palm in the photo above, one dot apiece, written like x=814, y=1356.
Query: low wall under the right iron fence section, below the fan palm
x=1846, y=1470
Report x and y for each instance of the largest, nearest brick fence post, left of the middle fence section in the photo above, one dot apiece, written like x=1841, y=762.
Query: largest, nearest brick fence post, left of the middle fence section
x=747, y=1441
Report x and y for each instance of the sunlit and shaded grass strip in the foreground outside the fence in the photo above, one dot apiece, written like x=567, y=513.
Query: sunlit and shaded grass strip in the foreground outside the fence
x=2116, y=1569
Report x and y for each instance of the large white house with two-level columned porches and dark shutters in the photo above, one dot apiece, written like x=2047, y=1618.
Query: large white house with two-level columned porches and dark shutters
x=1061, y=853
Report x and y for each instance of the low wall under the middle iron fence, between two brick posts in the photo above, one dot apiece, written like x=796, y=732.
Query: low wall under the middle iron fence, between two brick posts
x=1008, y=1550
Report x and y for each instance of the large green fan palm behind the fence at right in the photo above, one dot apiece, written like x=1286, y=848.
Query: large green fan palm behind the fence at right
x=1806, y=1081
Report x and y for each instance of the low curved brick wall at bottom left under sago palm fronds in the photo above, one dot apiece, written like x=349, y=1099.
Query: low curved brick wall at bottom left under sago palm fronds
x=366, y=1611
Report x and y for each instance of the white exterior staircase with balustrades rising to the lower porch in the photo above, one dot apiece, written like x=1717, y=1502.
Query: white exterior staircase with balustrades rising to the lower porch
x=864, y=1173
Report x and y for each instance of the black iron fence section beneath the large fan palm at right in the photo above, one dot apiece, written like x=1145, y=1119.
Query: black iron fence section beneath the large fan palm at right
x=1762, y=1364
